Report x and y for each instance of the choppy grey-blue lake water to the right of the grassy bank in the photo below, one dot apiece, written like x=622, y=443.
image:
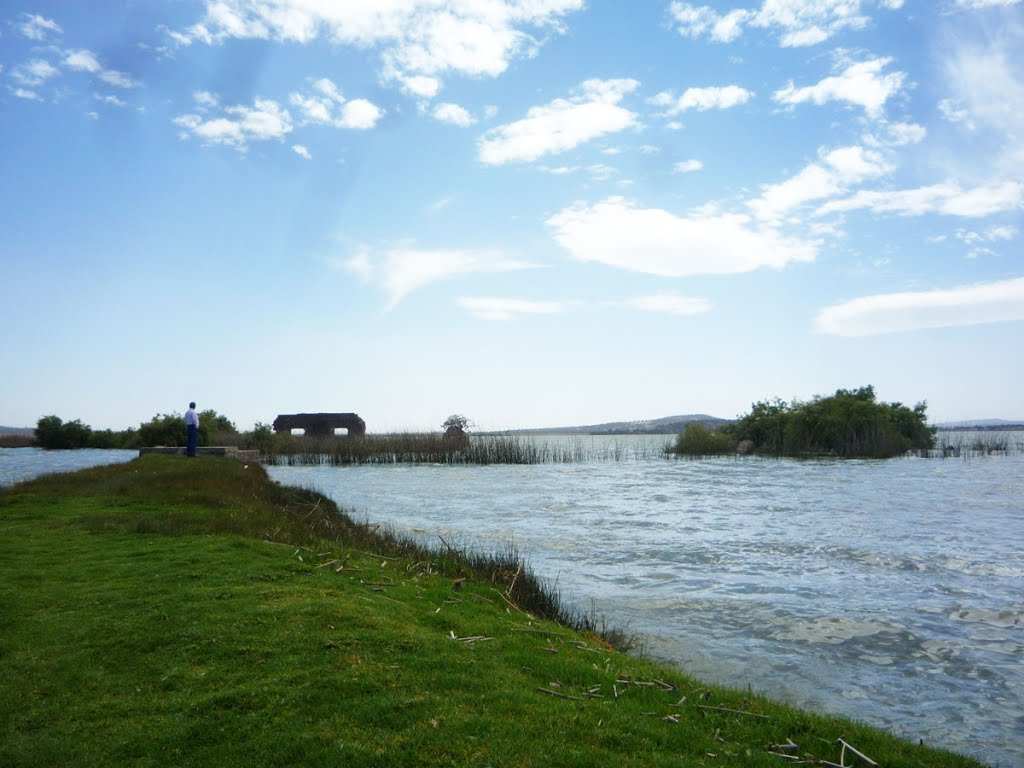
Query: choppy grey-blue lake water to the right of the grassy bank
x=890, y=591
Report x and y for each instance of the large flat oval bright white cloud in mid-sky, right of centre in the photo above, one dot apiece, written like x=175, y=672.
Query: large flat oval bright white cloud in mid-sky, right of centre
x=659, y=242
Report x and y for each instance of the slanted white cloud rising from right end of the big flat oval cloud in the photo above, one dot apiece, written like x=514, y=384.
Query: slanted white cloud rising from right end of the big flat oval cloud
x=833, y=176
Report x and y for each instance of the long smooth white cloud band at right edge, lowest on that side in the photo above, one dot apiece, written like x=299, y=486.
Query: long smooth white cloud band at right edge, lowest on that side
x=898, y=313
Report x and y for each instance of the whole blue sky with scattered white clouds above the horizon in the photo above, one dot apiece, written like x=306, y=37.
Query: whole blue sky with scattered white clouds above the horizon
x=533, y=212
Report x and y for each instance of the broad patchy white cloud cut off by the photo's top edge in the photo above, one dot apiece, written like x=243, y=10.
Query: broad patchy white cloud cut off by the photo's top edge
x=419, y=40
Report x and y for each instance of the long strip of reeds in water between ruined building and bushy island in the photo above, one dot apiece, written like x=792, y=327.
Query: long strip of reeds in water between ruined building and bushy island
x=436, y=449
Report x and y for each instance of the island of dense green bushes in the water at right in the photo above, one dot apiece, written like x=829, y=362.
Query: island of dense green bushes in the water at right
x=849, y=424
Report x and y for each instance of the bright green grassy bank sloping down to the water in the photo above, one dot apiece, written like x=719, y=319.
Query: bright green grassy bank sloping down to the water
x=172, y=613
